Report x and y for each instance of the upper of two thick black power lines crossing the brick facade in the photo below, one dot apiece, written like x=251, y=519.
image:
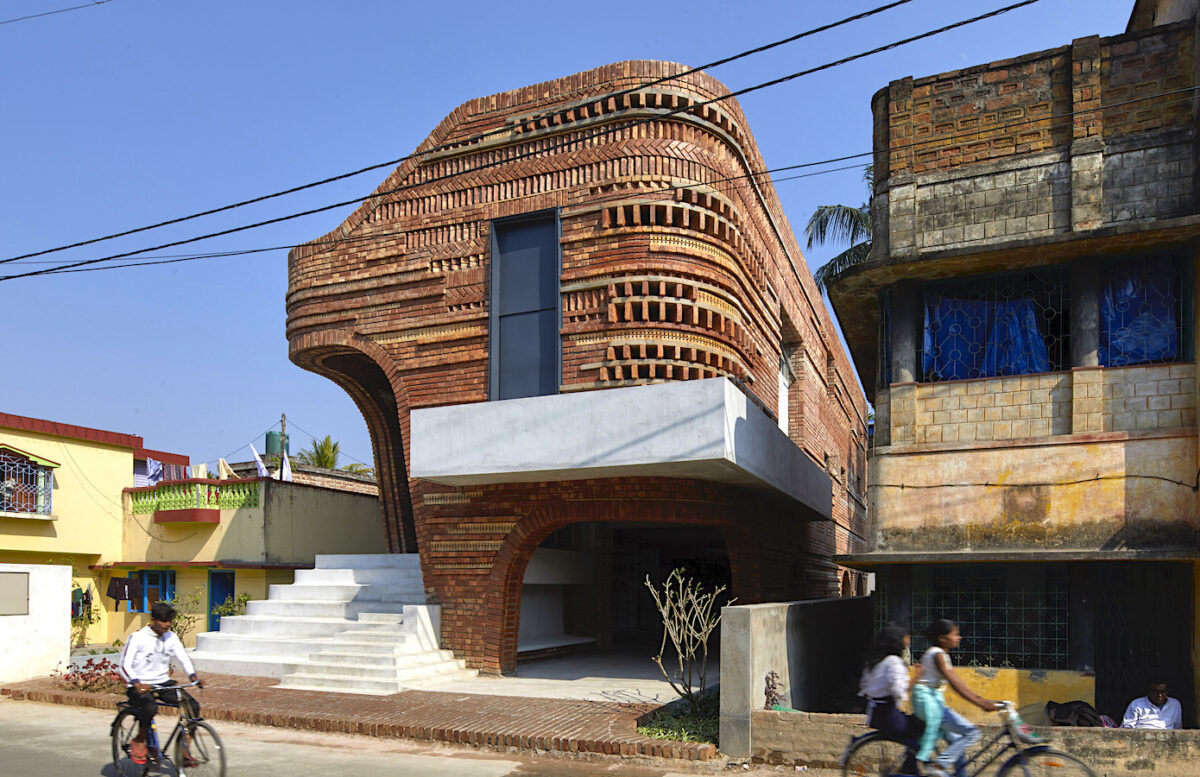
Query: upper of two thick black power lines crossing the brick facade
x=473, y=140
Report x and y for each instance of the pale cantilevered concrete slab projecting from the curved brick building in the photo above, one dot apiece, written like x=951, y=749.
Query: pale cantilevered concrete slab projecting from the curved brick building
x=704, y=430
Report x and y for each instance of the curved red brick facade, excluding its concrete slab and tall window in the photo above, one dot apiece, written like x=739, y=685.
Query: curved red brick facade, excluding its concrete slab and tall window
x=675, y=267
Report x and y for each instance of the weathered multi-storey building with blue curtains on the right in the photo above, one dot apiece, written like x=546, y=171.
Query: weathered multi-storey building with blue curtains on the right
x=1025, y=328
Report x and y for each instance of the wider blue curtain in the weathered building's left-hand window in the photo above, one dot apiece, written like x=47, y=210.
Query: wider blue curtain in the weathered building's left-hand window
x=980, y=339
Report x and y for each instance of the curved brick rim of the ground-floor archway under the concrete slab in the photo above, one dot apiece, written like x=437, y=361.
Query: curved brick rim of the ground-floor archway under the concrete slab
x=503, y=609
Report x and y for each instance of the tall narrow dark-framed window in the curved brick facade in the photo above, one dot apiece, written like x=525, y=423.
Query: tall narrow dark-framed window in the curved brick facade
x=526, y=353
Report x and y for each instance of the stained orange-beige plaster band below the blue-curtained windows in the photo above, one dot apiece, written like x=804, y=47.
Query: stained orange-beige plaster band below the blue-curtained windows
x=1067, y=508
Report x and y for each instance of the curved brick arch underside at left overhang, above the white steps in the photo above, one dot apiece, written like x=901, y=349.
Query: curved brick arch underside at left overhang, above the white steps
x=368, y=374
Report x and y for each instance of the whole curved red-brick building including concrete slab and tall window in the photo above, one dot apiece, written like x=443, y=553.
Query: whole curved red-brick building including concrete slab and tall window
x=589, y=350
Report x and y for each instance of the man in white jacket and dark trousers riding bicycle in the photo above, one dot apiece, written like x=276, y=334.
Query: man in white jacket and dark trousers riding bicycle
x=146, y=662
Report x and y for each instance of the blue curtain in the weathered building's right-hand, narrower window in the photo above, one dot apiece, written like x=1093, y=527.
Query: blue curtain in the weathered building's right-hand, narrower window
x=1138, y=316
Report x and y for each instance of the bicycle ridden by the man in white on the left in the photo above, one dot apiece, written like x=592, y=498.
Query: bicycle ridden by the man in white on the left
x=199, y=750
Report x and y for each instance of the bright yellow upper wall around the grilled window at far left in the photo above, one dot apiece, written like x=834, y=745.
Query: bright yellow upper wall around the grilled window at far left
x=87, y=502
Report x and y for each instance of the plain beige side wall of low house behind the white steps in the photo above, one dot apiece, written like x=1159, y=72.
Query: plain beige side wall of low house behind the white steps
x=305, y=521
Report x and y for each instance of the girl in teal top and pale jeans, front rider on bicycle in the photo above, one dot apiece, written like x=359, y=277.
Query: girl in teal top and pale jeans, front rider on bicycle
x=929, y=703
